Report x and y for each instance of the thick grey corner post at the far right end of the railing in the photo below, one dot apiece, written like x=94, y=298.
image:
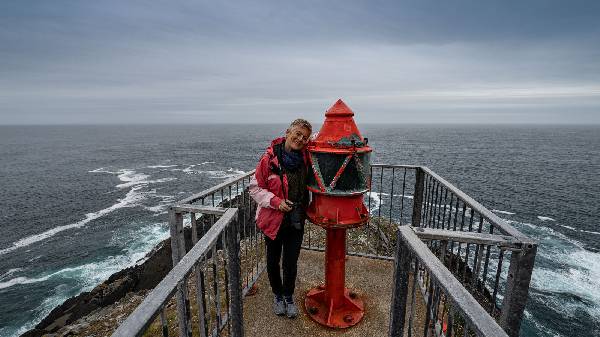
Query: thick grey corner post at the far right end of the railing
x=517, y=288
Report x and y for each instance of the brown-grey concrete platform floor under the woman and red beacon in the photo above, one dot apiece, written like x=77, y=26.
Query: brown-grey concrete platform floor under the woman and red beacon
x=370, y=279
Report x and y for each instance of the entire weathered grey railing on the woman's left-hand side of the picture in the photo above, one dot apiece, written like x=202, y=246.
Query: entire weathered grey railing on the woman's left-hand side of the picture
x=217, y=254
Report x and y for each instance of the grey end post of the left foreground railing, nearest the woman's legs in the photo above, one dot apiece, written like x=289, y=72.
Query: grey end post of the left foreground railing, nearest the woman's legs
x=235, y=284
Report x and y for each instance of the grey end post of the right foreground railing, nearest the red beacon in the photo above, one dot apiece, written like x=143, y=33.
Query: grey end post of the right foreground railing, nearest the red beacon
x=400, y=287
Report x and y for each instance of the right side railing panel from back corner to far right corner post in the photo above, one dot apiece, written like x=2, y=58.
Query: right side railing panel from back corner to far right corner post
x=480, y=265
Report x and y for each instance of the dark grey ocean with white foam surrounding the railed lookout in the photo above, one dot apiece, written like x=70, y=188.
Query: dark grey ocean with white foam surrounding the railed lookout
x=78, y=203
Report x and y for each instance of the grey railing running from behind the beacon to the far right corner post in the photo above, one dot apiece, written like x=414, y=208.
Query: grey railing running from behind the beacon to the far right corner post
x=495, y=273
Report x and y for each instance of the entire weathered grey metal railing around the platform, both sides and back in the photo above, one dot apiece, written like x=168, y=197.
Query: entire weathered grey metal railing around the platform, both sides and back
x=484, y=256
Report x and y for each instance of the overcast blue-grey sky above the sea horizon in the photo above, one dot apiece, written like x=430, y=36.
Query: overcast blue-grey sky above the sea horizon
x=270, y=61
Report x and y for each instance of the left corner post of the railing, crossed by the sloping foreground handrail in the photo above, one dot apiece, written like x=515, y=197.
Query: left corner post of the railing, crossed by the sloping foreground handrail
x=177, y=253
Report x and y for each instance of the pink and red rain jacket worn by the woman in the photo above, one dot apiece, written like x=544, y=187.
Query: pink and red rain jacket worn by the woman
x=265, y=188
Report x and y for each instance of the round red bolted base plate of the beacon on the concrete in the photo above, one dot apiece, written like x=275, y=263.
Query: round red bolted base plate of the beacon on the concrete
x=348, y=310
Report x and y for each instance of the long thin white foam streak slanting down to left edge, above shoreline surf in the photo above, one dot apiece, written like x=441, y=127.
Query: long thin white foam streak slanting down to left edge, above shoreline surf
x=132, y=198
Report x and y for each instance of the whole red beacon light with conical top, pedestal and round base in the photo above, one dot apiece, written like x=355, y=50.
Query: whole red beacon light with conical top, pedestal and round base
x=340, y=160
